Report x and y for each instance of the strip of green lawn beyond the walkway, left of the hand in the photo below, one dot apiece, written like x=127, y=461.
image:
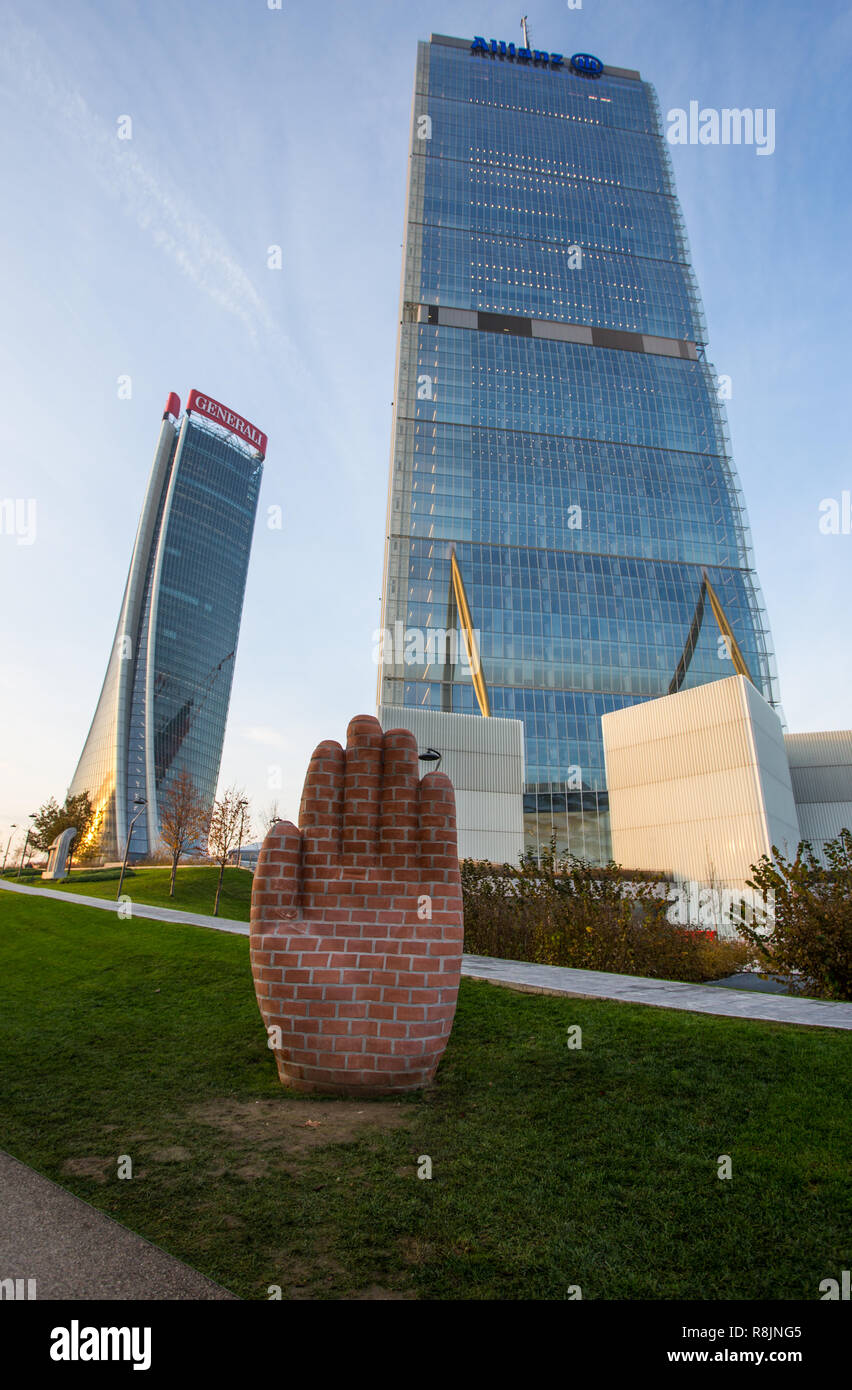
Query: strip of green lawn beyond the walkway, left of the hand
x=195, y=889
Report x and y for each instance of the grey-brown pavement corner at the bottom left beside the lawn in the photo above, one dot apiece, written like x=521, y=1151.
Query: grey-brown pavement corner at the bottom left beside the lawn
x=74, y=1252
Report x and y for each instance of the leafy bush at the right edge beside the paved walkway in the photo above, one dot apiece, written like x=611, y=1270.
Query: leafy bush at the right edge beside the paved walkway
x=808, y=940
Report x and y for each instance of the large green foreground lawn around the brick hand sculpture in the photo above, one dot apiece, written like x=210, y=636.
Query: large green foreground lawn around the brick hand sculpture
x=551, y=1167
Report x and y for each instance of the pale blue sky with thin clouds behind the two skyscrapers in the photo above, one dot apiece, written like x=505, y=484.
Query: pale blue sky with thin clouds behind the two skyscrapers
x=148, y=258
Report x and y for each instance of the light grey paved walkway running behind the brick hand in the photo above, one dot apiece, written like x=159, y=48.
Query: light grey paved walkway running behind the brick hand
x=551, y=979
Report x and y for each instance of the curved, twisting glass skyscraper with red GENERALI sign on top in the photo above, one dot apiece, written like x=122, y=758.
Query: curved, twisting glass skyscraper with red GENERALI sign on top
x=165, y=700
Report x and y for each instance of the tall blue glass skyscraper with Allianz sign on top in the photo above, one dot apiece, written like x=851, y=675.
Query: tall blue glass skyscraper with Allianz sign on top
x=561, y=465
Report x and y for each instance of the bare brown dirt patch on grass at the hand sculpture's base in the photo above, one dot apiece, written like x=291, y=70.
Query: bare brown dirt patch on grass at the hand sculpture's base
x=298, y=1128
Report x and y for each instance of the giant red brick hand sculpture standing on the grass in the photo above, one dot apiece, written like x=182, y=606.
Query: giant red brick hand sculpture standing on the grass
x=357, y=921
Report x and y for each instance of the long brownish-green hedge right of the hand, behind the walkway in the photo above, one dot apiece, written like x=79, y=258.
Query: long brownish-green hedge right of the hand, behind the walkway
x=564, y=911
